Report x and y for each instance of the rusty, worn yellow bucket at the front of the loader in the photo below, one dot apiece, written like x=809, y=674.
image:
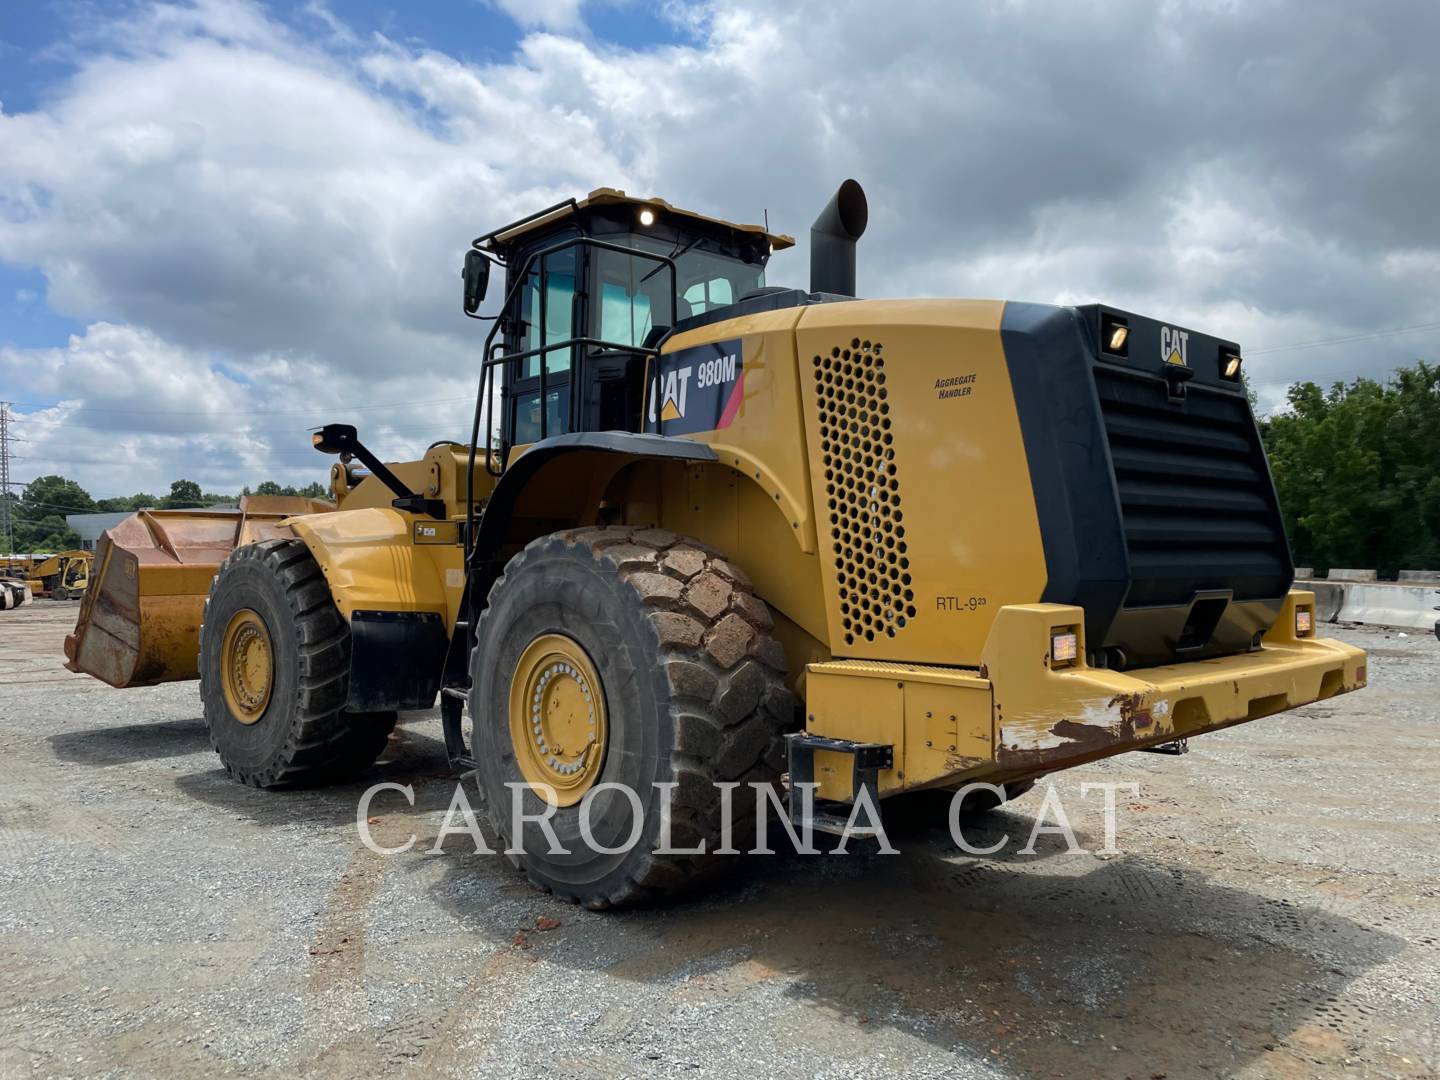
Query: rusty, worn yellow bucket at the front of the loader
x=140, y=618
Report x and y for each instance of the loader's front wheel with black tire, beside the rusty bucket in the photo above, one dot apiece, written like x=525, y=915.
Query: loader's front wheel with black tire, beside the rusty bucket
x=296, y=731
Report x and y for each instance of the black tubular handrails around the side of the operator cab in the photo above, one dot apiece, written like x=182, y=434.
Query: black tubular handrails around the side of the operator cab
x=490, y=362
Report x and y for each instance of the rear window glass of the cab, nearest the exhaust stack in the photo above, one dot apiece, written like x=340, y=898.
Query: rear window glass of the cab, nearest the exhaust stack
x=636, y=293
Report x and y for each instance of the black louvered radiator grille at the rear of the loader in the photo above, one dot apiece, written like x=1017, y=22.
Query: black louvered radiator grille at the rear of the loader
x=1196, y=496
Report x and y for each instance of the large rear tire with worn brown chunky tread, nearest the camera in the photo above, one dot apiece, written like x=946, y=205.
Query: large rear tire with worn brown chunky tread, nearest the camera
x=692, y=689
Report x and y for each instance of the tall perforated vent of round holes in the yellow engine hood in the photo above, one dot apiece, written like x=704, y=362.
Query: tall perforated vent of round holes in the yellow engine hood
x=863, y=493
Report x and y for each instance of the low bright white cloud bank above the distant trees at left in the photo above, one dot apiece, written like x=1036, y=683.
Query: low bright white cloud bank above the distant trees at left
x=136, y=413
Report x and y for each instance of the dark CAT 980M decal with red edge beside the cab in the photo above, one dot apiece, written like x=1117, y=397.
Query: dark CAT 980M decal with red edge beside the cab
x=696, y=390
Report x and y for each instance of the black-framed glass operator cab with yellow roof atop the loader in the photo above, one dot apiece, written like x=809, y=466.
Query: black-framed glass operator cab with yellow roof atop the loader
x=593, y=286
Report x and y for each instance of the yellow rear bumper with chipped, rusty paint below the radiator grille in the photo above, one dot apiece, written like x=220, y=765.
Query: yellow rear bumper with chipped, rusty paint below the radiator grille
x=1020, y=715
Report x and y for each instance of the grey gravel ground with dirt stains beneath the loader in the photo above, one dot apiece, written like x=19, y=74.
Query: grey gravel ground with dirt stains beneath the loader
x=1274, y=912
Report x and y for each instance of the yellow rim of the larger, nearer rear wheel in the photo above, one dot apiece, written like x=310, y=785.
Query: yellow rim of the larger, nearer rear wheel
x=558, y=722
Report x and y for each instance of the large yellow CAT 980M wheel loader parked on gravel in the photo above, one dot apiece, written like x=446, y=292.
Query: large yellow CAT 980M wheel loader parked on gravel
x=708, y=532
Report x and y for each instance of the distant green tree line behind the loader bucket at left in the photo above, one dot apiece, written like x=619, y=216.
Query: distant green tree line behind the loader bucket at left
x=40, y=512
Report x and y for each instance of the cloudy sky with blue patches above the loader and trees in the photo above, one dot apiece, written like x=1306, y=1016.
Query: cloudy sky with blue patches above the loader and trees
x=227, y=222
